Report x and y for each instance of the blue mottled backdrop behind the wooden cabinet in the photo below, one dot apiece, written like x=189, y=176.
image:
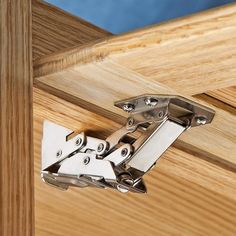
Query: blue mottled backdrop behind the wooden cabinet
x=119, y=16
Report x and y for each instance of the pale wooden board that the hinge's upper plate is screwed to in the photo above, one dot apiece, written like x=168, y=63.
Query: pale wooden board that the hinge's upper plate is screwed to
x=103, y=83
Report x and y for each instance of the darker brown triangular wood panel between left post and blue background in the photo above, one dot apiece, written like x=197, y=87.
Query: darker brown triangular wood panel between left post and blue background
x=54, y=29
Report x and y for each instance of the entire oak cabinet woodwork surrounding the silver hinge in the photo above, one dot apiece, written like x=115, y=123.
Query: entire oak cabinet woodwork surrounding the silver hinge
x=73, y=64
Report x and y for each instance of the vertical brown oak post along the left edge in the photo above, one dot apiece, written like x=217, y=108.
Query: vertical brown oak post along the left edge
x=16, y=141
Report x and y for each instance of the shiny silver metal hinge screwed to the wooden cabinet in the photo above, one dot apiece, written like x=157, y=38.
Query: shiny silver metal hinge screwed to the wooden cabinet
x=121, y=160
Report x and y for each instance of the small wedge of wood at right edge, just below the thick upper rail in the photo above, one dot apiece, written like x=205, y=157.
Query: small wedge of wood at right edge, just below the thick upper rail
x=226, y=95
